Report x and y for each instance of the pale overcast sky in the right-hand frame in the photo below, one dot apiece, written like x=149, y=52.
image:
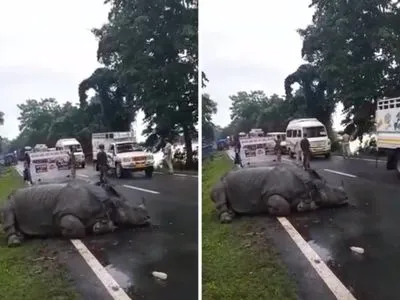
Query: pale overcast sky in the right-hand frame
x=250, y=45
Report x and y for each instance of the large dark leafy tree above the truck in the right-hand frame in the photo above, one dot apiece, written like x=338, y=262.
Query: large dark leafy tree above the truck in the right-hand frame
x=354, y=45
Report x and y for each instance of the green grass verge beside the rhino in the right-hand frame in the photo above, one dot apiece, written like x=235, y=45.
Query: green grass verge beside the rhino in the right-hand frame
x=237, y=262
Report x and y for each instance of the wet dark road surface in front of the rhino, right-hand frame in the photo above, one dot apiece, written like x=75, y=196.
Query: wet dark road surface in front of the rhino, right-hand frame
x=371, y=222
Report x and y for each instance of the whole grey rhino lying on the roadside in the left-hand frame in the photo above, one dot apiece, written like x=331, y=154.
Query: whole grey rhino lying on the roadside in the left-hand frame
x=72, y=210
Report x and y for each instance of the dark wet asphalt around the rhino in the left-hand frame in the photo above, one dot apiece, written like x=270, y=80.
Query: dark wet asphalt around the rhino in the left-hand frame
x=130, y=256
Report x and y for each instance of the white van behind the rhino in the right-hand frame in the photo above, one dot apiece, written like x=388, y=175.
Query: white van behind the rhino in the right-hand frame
x=316, y=134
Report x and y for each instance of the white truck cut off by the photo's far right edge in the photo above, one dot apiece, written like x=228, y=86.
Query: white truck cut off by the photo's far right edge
x=387, y=118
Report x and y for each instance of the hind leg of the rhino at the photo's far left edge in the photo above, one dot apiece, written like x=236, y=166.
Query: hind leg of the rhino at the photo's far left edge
x=14, y=237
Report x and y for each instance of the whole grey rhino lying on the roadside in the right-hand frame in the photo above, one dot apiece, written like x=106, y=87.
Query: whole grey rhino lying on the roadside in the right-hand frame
x=278, y=189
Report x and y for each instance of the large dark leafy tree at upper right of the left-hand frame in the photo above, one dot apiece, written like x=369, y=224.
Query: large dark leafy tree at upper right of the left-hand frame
x=152, y=48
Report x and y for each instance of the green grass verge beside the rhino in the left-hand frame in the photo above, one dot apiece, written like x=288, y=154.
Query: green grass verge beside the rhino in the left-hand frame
x=29, y=272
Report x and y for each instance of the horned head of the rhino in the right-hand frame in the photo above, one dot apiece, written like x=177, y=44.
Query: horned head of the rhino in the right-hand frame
x=331, y=196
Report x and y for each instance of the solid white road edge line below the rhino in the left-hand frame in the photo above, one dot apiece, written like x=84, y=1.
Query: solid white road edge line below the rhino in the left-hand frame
x=113, y=288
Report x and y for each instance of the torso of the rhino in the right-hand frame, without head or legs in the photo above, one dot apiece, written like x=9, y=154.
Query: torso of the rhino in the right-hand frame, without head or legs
x=246, y=188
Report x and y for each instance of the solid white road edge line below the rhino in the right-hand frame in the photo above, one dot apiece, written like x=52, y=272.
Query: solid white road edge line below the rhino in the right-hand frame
x=335, y=285
